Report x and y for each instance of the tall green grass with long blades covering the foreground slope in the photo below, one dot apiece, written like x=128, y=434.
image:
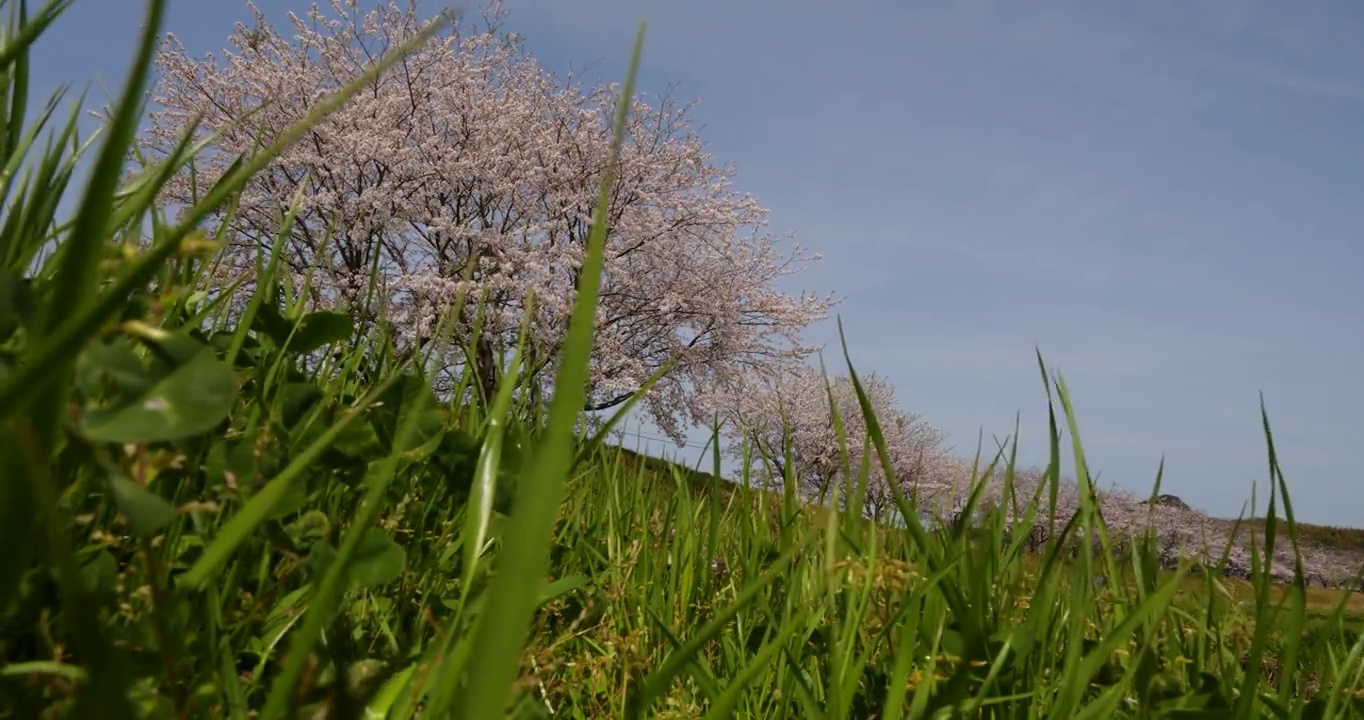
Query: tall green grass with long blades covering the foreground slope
x=213, y=511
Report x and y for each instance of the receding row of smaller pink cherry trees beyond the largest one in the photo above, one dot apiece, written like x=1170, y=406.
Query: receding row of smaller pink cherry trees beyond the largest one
x=785, y=414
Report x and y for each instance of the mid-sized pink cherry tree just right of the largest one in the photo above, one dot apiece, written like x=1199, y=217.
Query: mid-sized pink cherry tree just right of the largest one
x=785, y=412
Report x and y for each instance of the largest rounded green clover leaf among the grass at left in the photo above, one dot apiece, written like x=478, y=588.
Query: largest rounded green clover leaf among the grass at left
x=190, y=400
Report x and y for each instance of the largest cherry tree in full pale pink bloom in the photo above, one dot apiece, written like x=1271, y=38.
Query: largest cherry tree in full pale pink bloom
x=473, y=171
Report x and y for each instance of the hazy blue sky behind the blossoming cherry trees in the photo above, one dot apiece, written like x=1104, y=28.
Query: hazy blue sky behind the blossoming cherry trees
x=1166, y=198
